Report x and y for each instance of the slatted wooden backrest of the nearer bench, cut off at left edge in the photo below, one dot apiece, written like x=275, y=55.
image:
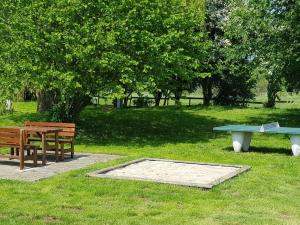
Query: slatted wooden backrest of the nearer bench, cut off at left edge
x=11, y=137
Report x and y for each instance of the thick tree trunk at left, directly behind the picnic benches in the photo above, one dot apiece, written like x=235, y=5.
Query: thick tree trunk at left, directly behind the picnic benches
x=45, y=100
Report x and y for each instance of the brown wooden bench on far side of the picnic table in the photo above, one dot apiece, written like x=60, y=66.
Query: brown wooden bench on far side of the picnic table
x=64, y=137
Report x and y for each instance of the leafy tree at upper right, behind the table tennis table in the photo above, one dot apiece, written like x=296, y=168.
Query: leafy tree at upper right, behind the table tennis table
x=269, y=35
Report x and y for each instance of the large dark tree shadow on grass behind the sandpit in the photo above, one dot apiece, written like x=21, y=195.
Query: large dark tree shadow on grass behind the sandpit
x=141, y=127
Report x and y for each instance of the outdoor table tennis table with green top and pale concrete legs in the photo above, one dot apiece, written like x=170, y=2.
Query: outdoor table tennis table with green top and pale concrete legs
x=242, y=135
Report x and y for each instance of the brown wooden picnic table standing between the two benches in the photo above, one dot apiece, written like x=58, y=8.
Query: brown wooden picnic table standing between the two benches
x=42, y=132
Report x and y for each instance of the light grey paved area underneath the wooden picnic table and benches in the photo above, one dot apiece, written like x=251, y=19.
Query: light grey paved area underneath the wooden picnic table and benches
x=9, y=169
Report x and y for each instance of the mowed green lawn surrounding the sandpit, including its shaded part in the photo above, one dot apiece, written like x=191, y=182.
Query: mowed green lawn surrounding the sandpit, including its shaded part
x=267, y=194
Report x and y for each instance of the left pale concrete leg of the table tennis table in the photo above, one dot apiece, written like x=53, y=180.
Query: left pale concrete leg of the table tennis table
x=241, y=140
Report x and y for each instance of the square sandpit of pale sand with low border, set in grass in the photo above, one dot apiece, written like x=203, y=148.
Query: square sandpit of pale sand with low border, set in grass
x=204, y=175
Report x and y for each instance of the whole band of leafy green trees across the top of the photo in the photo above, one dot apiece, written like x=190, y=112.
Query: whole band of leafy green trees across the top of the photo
x=65, y=52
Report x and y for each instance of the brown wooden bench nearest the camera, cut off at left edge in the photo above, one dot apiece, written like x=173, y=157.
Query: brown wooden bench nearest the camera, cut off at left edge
x=14, y=139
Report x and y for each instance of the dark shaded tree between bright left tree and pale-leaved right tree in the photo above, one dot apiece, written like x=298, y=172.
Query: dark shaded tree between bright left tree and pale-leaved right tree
x=231, y=75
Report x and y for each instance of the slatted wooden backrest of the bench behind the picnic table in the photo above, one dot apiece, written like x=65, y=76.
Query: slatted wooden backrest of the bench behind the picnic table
x=68, y=128
